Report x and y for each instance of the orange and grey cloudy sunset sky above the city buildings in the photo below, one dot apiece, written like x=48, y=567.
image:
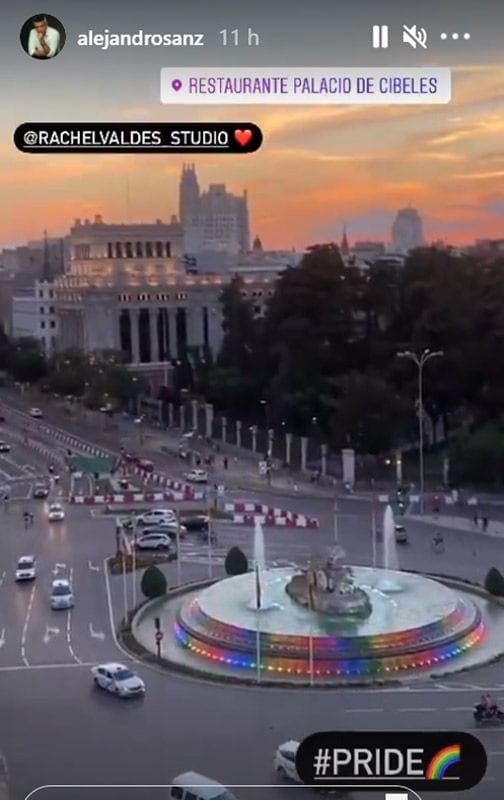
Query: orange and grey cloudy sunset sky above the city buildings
x=318, y=168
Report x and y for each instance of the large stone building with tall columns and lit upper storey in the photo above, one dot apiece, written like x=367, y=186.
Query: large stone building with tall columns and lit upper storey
x=127, y=290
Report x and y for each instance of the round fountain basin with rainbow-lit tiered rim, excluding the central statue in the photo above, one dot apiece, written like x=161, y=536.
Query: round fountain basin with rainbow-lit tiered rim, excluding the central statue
x=421, y=627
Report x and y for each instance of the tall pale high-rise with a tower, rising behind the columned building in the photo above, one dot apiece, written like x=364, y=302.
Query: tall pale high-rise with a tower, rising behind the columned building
x=215, y=220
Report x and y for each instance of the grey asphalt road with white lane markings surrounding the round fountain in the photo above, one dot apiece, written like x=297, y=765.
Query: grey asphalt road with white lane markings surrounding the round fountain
x=56, y=728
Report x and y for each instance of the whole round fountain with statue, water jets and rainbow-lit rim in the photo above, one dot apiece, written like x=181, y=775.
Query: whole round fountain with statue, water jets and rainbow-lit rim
x=327, y=621
